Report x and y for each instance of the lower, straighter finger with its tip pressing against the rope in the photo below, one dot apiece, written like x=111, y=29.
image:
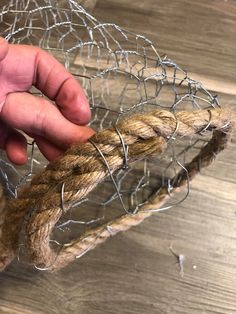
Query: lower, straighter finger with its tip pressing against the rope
x=38, y=116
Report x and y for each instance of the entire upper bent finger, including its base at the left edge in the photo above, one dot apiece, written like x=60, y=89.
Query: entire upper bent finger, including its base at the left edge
x=25, y=66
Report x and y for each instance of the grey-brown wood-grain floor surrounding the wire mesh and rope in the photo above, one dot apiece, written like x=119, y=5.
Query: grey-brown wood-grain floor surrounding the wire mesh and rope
x=135, y=272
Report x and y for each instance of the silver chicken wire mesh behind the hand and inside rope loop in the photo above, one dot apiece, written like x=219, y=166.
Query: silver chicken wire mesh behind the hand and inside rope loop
x=121, y=73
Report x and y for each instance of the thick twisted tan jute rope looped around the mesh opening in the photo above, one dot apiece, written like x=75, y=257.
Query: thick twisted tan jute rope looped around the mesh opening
x=83, y=167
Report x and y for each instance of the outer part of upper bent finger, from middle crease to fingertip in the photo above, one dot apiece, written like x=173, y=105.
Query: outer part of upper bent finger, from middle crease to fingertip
x=59, y=85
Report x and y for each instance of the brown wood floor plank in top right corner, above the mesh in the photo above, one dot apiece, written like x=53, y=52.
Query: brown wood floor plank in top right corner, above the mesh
x=199, y=37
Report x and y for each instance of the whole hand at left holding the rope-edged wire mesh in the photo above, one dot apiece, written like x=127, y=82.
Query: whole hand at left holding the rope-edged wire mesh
x=54, y=128
